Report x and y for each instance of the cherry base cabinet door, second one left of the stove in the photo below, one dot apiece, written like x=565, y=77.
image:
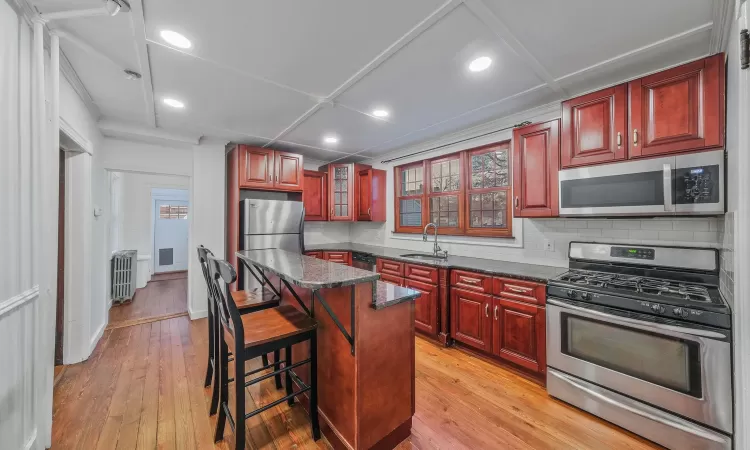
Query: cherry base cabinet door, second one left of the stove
x=470, y=319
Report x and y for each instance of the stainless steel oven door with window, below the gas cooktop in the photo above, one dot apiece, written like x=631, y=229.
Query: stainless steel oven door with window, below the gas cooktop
x=682, y=369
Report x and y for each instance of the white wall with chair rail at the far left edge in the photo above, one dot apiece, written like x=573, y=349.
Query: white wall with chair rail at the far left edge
x=19, y=291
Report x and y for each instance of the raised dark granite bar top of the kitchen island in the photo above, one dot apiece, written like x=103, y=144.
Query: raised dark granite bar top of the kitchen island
x=306, y=271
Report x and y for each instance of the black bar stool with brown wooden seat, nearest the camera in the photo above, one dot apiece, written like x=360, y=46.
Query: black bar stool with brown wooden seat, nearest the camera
x=253, y=335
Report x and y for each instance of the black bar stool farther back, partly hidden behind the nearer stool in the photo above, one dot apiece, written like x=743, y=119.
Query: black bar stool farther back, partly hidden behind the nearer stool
x=246, y=302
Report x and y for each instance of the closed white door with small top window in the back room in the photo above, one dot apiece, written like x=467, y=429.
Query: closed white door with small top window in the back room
x=170, y=235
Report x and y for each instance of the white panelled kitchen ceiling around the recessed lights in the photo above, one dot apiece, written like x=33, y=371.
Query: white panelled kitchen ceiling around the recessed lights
x=285, y=73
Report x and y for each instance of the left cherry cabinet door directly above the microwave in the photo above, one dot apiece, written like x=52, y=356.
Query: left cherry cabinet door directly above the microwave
x=595, y=128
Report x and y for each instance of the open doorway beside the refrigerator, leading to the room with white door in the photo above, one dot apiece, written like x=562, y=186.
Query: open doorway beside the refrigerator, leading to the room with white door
x=150, y=213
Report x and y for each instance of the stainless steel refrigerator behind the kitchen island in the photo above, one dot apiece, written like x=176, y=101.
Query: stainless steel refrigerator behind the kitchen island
x=270, y=224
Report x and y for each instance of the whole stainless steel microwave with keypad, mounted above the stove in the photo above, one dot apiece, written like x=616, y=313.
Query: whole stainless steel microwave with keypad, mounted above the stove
x=691, y=184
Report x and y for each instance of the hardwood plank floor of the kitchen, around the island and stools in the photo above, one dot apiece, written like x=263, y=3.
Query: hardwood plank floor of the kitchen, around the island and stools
x=142, y=389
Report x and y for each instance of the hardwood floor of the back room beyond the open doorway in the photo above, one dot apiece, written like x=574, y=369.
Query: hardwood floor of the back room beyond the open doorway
x=165, y=296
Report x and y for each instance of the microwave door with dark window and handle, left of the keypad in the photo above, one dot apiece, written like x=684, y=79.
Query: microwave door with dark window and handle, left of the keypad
x=628, y=188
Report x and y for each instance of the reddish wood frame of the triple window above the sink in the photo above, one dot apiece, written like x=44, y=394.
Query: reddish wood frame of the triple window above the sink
x=464, y=191
